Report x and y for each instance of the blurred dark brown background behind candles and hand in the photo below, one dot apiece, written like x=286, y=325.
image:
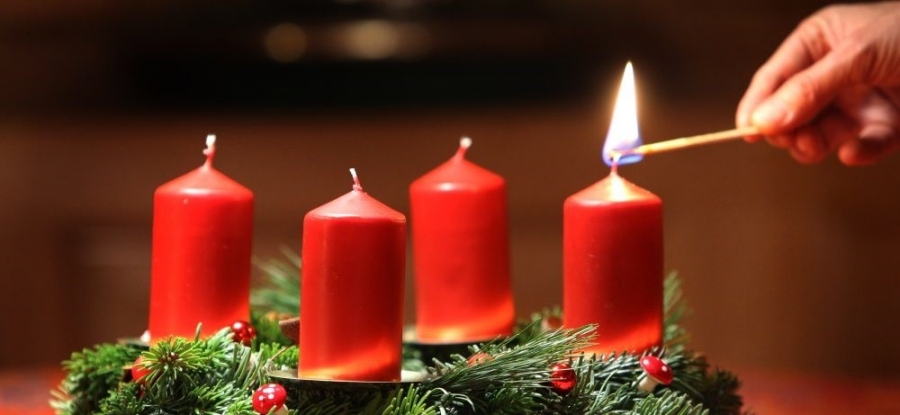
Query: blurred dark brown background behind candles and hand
x=786, y=266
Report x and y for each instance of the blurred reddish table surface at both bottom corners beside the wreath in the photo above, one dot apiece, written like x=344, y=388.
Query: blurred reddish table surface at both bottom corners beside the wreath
x=26, y=392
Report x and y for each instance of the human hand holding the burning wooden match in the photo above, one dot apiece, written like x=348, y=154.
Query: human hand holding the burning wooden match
x=832, y=85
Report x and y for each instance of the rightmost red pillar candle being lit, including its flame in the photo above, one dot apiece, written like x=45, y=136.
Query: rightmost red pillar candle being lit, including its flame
x=613, y=249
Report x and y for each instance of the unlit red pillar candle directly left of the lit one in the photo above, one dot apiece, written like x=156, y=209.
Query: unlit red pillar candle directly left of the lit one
x=461, y=253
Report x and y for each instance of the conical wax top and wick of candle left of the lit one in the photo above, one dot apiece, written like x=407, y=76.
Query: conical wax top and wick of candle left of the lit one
x=459, y=173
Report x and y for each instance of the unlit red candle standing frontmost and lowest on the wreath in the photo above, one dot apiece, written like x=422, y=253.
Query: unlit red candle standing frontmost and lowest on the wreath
x=351, y=302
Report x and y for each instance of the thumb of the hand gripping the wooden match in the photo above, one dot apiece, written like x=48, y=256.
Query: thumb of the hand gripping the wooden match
x=802, y=96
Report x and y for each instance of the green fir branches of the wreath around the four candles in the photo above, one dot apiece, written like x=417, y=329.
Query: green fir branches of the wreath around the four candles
x=218, y=376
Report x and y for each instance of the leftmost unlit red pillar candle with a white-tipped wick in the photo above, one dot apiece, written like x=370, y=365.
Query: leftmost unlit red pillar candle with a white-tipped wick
x=200, y=270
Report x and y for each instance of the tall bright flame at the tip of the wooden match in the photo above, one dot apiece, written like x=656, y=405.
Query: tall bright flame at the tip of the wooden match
x=623, y=129
